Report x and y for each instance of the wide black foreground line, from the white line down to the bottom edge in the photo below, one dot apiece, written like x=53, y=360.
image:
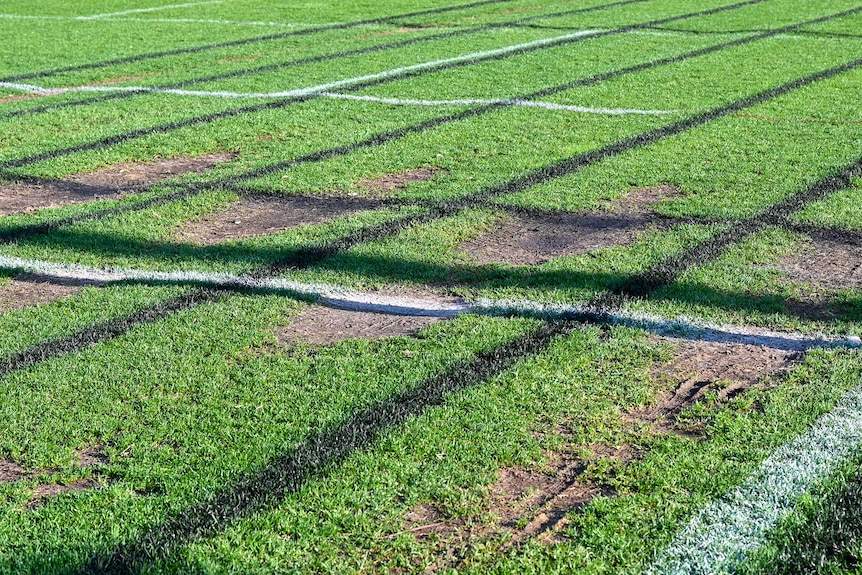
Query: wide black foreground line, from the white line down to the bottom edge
x=256, y=491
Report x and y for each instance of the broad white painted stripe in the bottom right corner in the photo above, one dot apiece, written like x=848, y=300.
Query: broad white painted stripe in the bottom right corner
x=718, y=537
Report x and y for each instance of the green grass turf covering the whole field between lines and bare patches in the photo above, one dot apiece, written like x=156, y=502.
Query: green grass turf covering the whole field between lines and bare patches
x=204, y=405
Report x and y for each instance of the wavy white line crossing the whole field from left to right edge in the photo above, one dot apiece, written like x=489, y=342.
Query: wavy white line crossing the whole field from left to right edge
x=344, y=298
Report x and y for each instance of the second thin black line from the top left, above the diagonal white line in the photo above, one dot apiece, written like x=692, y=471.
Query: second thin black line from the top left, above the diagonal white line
x=313, y=59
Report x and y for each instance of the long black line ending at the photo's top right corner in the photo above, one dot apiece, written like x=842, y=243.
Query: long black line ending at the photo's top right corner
x=189, y=190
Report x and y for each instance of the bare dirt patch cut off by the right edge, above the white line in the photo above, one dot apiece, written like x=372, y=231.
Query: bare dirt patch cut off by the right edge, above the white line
x=828, y=263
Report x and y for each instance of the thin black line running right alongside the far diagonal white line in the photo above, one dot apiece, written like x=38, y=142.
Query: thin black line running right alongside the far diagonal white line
x=284, y=102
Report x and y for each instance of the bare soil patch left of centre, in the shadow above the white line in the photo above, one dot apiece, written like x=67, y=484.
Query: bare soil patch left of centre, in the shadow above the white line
x=257, y=216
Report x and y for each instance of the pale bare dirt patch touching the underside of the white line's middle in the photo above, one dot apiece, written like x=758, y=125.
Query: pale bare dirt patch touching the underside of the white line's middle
x=317, y=325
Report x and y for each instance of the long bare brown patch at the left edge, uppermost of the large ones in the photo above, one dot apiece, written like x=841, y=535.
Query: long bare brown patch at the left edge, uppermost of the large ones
x=110, y=182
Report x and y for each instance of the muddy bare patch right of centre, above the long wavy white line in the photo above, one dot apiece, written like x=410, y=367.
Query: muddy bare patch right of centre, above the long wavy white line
x=532, y=239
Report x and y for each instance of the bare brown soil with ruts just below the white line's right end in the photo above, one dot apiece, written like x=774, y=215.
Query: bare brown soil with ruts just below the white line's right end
x=698, y=367
